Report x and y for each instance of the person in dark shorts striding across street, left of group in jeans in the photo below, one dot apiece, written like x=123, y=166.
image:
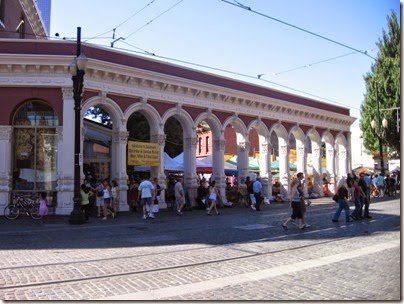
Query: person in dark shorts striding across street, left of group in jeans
x=297, y=203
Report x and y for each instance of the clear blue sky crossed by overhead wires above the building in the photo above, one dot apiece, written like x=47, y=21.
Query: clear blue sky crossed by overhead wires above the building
x=311, y=48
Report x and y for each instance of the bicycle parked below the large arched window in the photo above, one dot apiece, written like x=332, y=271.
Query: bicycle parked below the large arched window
x=22, y=204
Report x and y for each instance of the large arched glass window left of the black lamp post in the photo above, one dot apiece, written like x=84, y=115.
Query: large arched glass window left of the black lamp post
x=35, y=147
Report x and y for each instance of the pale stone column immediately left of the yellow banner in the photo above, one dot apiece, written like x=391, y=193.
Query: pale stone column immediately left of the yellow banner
x=118, y=163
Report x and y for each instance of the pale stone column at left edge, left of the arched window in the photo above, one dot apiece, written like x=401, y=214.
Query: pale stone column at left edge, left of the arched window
x=5, y=165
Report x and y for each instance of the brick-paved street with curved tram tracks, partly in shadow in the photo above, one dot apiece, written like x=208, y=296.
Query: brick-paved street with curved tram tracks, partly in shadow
x=240, y=255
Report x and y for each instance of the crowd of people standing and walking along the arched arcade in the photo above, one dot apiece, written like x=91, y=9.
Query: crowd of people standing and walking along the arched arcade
x=144, y=196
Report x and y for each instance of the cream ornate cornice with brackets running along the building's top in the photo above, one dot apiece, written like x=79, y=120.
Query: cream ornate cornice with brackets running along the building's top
x=52, y=71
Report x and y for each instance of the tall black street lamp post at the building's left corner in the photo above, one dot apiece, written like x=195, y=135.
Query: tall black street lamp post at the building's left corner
x=77, y=71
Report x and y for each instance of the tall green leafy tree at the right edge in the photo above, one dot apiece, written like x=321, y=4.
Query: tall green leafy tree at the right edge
x=383, y=85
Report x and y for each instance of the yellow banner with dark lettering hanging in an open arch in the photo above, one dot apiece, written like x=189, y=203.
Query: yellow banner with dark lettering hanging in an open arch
x=143, y=154
